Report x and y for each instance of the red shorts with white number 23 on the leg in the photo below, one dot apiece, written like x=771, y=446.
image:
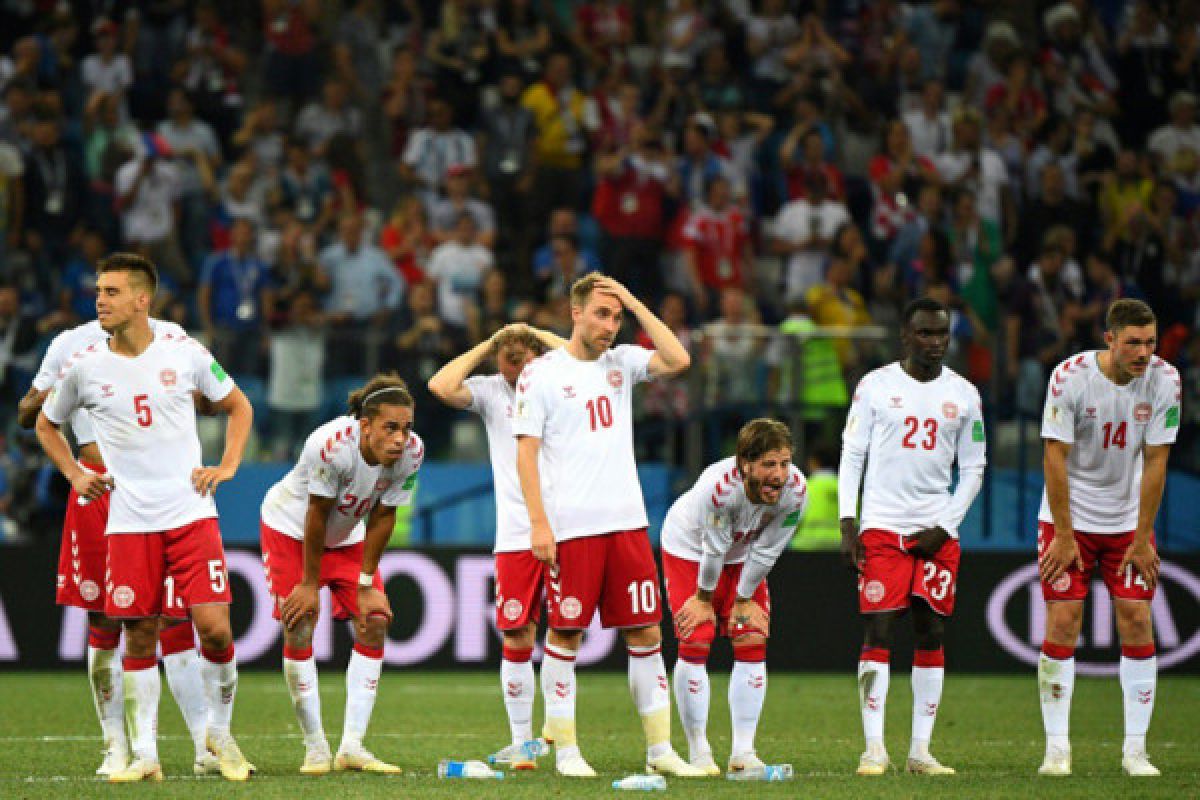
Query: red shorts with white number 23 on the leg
x=892, y=575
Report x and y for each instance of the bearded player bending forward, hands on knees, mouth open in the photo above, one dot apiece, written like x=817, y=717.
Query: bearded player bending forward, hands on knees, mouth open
x=721, y=539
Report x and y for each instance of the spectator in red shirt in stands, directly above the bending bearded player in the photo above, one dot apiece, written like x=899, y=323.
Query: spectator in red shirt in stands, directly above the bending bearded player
x=717, y=244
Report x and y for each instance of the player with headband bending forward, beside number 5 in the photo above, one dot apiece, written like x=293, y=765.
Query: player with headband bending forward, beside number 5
x=352, y=476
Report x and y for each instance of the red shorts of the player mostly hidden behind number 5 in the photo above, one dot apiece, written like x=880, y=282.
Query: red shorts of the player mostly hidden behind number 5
x=83, y=552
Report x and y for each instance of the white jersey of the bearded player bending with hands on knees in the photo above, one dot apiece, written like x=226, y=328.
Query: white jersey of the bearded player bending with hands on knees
x=716, y=524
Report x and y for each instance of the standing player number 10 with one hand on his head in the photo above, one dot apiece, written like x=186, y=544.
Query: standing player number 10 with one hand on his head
x=575, y=461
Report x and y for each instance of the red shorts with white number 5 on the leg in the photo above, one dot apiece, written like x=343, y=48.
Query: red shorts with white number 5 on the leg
x=166, y=574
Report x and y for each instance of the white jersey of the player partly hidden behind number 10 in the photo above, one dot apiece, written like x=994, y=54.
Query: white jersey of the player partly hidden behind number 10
x=494, y=399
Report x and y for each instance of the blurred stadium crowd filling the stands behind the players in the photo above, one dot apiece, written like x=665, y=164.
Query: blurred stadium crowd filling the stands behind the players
x=331, y=188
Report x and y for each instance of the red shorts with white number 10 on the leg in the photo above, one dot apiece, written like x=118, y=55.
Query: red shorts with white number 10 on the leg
x=614, y=573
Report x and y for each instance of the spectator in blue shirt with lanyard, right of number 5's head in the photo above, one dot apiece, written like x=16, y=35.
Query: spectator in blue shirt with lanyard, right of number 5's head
x=232, y=299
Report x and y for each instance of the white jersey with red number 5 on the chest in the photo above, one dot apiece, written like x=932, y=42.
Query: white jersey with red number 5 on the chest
x=146, y=426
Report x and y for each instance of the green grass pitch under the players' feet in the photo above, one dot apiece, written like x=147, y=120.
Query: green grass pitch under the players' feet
x=989, y=729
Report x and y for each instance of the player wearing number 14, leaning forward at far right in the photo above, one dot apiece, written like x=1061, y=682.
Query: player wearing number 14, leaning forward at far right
x=1111, y=420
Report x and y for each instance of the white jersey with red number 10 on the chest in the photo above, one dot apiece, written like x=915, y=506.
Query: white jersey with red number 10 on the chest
x=584, y=414
